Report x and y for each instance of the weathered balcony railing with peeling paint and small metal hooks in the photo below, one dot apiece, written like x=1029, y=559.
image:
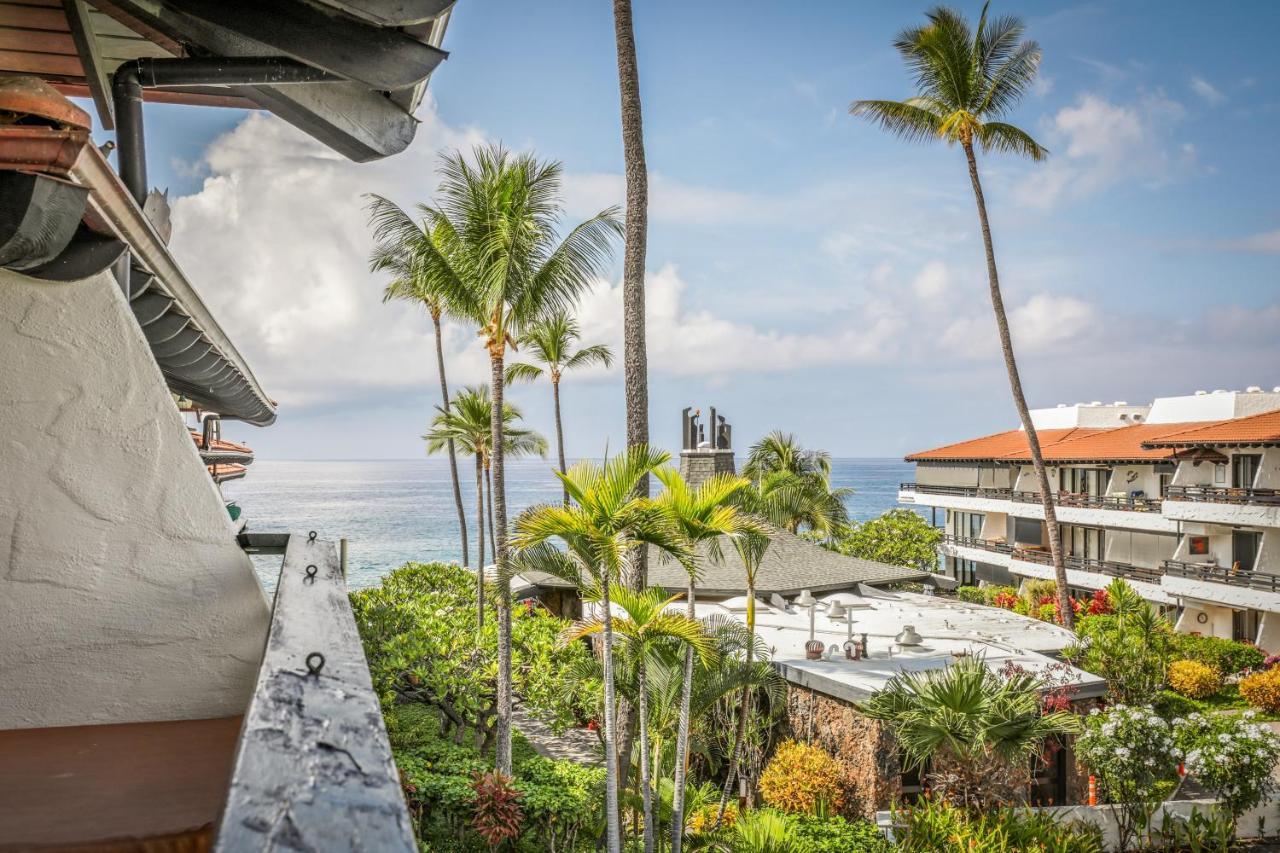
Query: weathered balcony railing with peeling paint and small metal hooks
x=314, y=768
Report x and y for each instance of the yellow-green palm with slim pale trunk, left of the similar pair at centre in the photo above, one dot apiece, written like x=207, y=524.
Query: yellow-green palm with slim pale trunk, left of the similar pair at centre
x=602, y=532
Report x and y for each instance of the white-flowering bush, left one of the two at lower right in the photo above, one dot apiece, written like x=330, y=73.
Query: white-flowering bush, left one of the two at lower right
x=1133, y=754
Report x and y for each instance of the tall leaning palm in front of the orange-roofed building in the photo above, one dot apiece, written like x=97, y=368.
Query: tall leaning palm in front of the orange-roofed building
x=967, y=81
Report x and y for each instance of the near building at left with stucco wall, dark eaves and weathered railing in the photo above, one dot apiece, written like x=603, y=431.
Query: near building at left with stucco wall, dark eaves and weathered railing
x=154, y=697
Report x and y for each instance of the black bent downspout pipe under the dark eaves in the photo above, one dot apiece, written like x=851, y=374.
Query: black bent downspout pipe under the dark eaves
x=134, y=76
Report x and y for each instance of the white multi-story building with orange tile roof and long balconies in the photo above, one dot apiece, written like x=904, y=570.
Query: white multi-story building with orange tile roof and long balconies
x=1180, y=498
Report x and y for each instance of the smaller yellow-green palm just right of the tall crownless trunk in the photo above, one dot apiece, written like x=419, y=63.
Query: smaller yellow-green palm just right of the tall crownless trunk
x=705, y=516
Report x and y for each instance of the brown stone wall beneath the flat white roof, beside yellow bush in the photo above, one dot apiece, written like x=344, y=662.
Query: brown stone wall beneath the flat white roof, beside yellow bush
x=867, y=751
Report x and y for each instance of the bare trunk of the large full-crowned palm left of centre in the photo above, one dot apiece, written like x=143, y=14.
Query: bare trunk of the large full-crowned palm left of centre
x=499, y=505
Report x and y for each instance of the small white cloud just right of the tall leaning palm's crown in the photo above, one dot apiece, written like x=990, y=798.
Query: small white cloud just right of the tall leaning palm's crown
x=1096, y=144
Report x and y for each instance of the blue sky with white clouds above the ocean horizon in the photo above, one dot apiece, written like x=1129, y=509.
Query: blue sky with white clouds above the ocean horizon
x=808, y=272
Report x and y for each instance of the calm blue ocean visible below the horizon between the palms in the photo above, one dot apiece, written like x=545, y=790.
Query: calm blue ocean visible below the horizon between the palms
x=397, y=512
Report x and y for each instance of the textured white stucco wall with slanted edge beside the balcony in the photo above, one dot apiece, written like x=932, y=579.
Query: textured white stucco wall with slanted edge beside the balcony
x=124, y=596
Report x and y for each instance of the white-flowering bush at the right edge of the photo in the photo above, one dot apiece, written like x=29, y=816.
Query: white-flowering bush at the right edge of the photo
x=1231, y=755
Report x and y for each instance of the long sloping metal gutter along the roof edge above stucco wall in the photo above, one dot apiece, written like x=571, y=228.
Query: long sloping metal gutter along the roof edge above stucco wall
x=234, y=391
